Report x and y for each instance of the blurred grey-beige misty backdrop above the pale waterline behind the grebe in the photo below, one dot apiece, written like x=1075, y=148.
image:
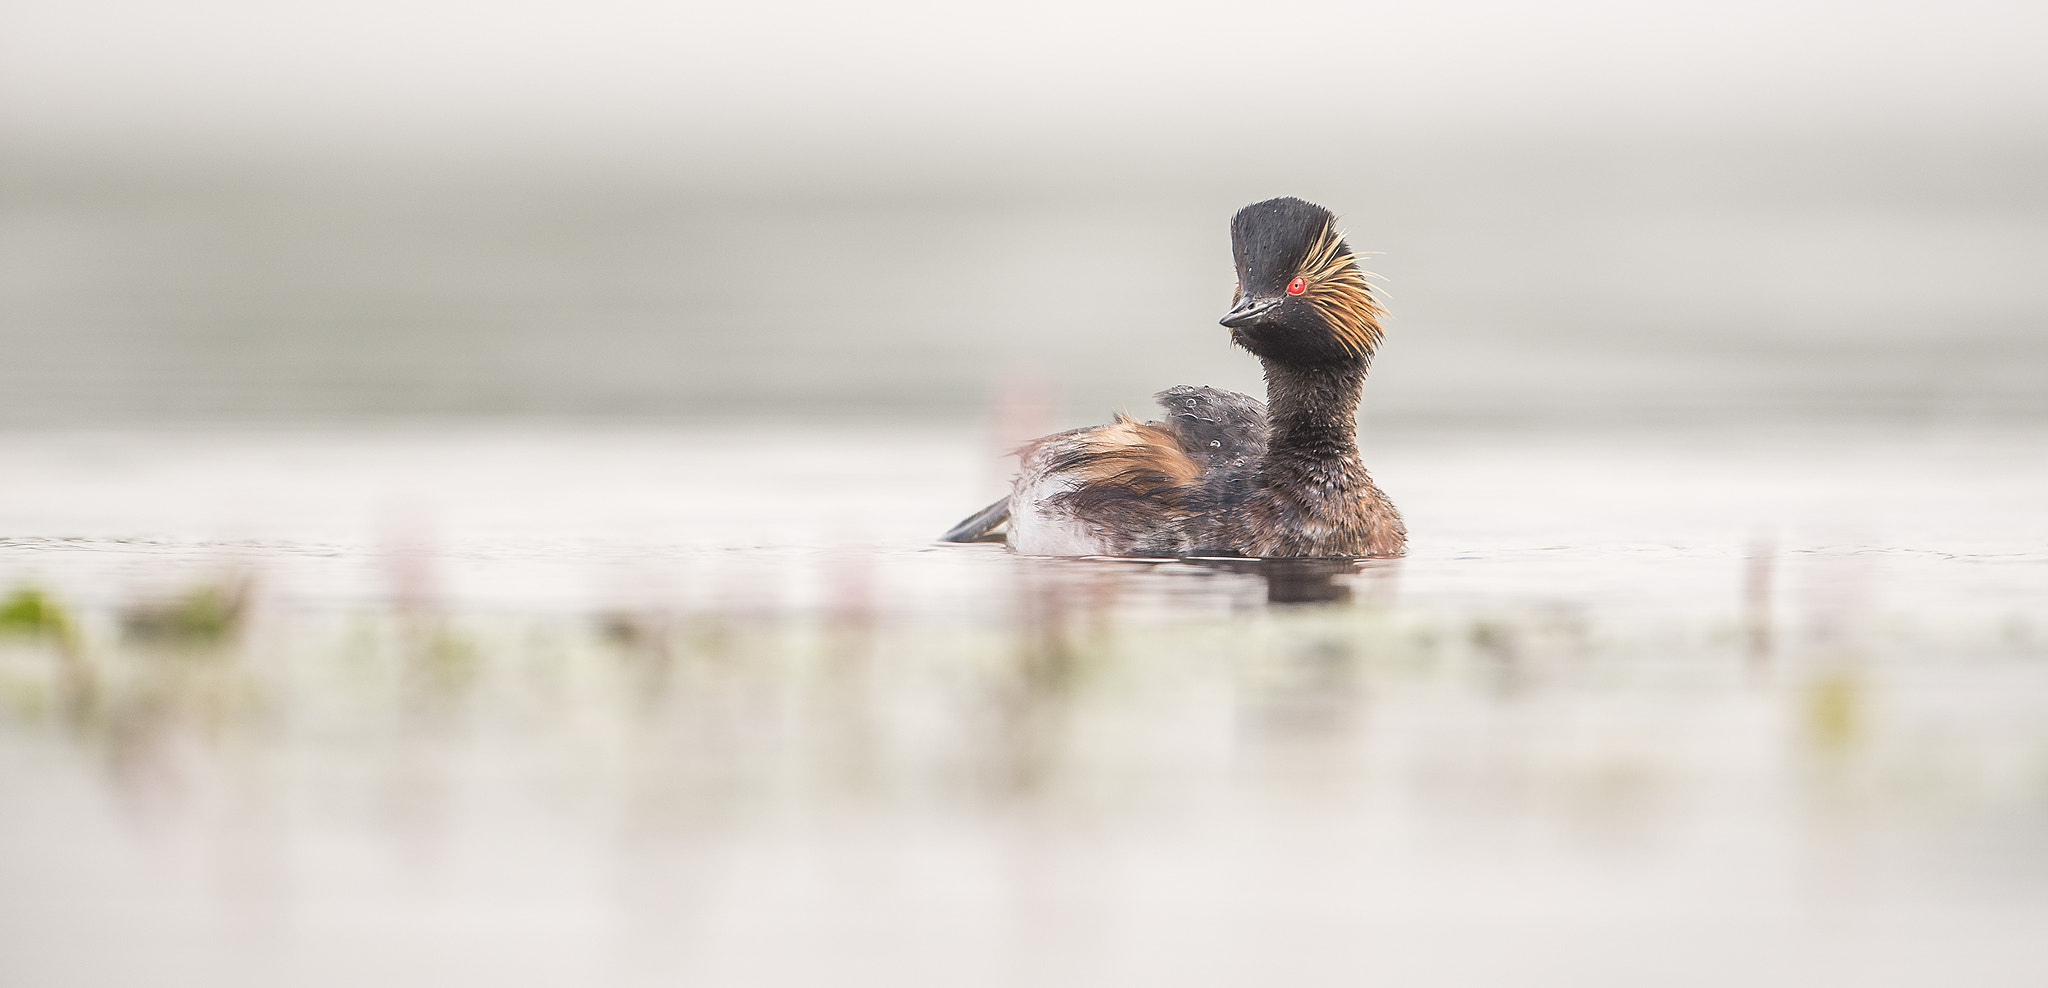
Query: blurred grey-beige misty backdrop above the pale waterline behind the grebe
x=1582, y=212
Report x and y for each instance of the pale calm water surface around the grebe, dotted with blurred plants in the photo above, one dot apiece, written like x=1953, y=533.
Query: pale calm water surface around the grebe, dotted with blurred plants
x=710, y=708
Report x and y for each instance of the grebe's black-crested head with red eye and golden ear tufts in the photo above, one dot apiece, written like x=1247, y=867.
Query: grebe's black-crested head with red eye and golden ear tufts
x=1302, y=298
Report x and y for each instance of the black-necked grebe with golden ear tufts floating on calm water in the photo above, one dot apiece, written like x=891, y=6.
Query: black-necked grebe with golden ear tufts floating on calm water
x=1226, y=475
